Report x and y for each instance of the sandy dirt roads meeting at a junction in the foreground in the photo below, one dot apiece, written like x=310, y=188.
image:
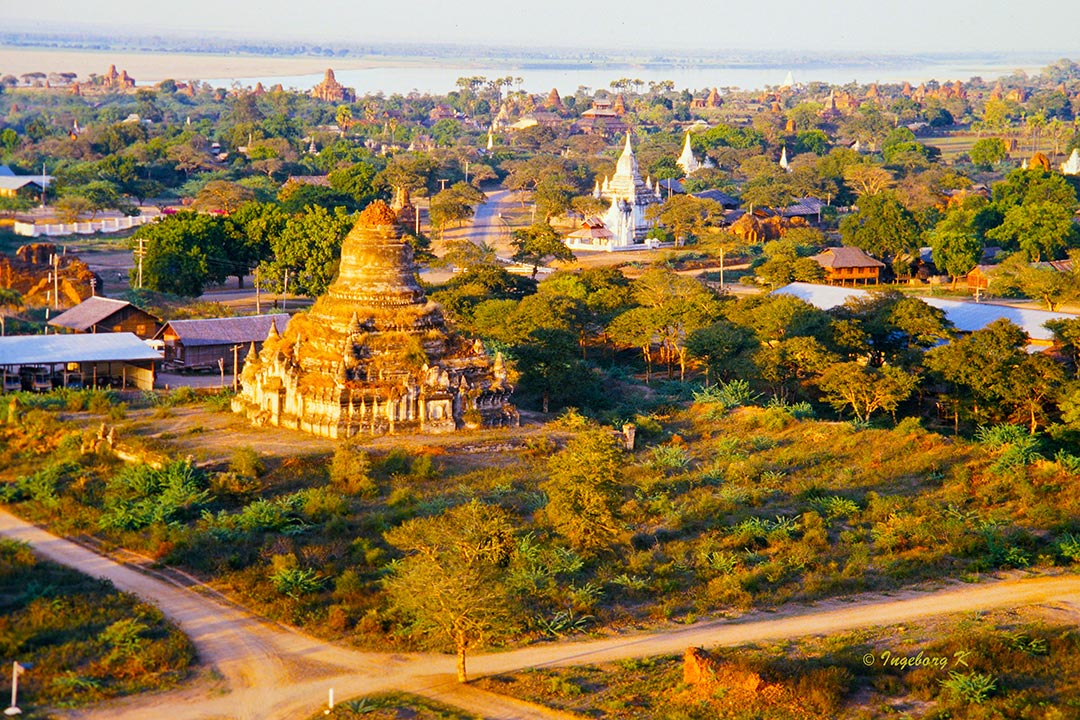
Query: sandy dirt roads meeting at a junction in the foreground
x=272, y=672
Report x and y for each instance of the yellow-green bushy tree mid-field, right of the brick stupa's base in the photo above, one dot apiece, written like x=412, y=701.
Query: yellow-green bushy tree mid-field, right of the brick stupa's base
x=584, y=492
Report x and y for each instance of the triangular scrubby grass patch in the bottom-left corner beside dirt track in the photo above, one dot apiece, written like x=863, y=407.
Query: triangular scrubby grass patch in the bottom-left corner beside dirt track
x=84, y=641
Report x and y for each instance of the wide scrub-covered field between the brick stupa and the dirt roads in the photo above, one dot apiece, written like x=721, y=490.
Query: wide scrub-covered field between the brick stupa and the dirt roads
x=719, y=510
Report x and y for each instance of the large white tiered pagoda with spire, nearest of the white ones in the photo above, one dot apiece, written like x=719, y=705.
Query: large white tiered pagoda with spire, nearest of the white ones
x=630, y=196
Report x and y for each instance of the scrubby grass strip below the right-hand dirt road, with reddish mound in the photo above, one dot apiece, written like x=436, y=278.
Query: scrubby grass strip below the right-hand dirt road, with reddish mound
x=1017, y=664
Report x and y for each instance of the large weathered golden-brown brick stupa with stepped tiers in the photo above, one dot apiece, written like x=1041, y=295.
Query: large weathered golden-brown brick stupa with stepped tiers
x=374, y=356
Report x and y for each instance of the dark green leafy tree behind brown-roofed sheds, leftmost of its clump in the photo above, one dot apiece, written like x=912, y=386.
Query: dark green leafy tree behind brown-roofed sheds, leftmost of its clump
x=184, y=253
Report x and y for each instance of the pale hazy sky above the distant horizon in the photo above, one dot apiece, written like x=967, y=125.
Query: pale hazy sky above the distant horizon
x=887, y=26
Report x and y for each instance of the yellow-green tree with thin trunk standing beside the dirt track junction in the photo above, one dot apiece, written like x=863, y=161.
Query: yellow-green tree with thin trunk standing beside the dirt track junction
x=451, y=583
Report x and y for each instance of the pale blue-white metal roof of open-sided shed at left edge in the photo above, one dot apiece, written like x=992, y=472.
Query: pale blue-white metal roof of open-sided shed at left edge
x=56, y=349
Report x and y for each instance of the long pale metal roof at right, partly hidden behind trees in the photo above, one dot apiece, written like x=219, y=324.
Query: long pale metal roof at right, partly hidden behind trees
x=967, y=317
